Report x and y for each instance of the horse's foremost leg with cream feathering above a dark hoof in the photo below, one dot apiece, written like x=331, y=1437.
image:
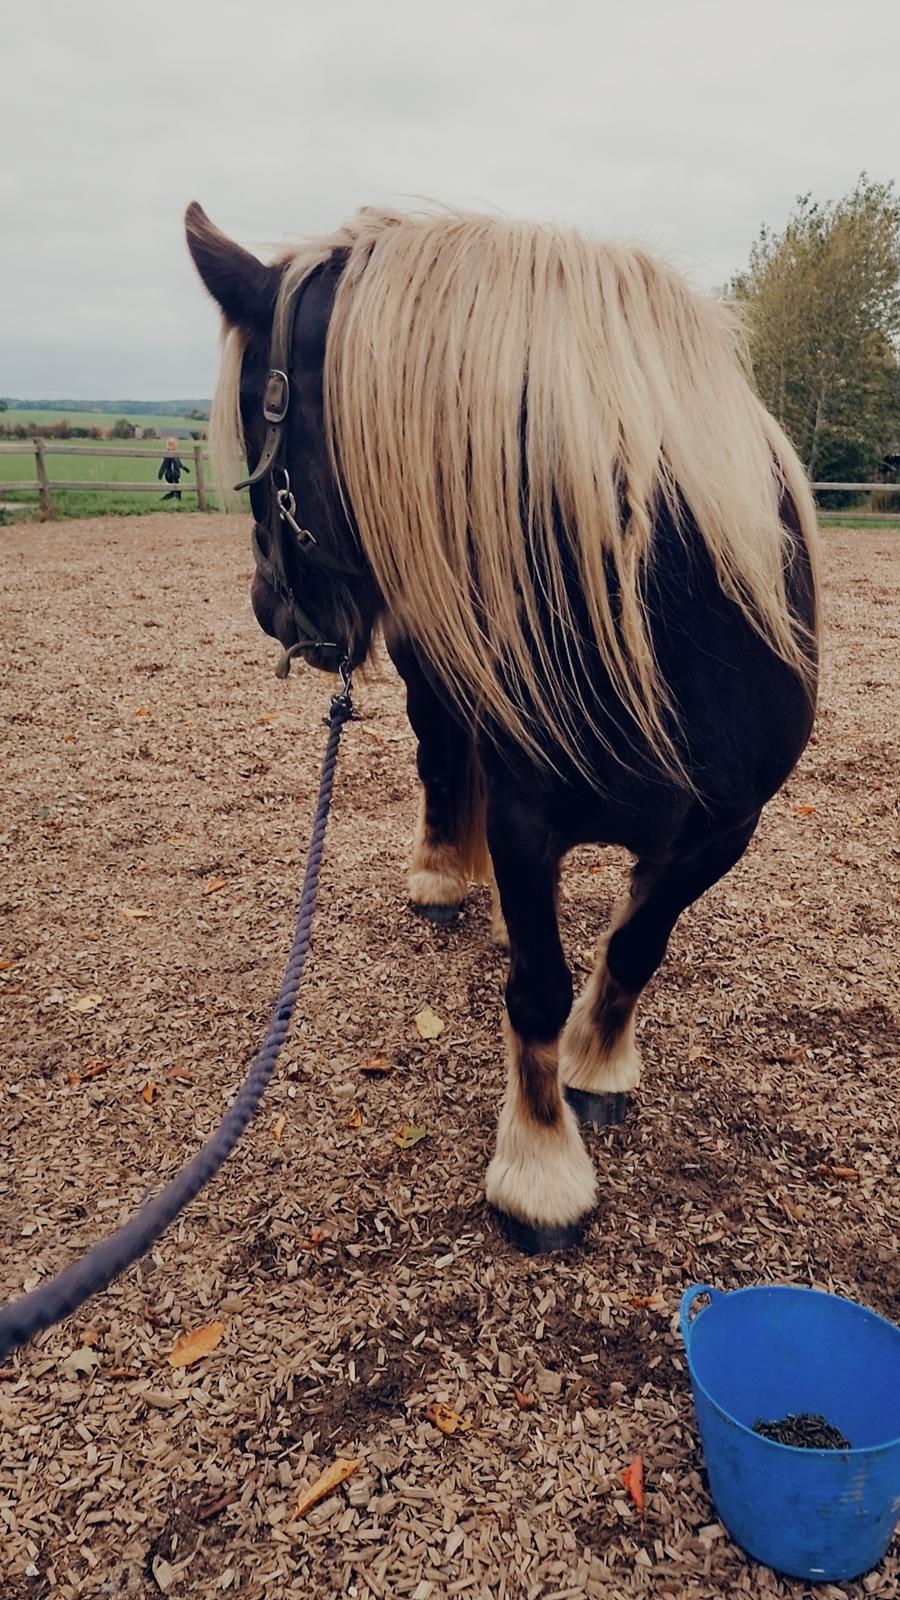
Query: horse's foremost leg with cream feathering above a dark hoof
x=540, y=1180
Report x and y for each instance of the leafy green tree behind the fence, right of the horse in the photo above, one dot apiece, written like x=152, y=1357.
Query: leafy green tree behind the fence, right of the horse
x=822, y=306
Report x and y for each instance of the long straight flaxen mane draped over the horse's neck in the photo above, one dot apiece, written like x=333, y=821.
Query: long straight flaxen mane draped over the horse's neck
x=507, y=402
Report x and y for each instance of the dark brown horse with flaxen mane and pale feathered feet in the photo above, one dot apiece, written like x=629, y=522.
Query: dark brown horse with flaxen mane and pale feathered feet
x=536, y=465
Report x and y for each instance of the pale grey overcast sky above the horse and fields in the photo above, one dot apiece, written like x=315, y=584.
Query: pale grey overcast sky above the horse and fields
x=681, y=122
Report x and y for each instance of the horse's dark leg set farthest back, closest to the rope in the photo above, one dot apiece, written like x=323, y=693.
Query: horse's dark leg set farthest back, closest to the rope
x=449, y=847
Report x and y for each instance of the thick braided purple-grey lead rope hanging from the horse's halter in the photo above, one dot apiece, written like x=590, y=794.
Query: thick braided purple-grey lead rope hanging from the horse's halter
x=105, y=1262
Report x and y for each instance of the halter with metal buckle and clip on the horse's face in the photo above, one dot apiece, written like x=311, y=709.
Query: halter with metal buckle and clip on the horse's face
x=283, y=526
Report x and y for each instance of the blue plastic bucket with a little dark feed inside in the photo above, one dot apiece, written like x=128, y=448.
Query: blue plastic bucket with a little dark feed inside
x=779, y=1351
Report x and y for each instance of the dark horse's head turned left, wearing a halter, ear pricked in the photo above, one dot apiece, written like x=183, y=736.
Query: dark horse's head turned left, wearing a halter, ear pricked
x=311, y=591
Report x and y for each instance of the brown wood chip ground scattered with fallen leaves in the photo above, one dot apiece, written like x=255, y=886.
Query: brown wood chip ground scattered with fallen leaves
x=158, y=791
